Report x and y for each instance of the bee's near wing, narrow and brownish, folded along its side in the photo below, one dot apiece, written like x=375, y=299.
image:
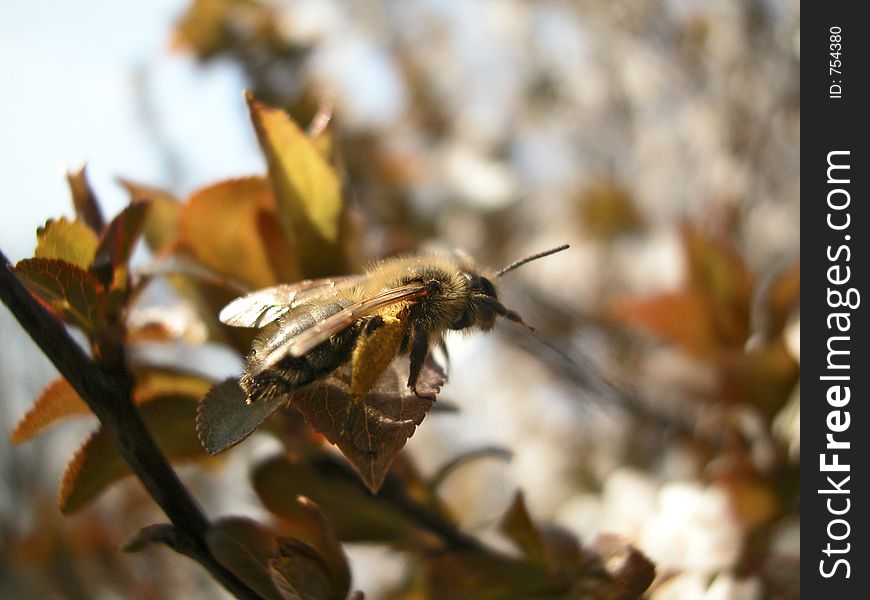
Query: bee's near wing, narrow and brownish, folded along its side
x=286, y=341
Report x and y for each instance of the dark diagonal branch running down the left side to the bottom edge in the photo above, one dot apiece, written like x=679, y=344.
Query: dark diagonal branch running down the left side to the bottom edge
x=107, y=391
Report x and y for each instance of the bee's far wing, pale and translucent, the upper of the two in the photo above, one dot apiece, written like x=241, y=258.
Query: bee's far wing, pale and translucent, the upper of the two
x=261, y=307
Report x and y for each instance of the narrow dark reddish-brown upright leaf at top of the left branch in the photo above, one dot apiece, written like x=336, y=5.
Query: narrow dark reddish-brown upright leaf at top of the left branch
x=116, y=245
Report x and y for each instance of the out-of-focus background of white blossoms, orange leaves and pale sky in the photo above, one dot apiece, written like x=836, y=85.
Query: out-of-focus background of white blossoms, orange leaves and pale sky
x=660, y=398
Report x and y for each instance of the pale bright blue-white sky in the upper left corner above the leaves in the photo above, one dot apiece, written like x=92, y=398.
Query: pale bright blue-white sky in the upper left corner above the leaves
x=75, y=77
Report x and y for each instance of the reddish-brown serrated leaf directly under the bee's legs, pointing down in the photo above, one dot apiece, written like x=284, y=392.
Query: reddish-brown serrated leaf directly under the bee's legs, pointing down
x=372, y=433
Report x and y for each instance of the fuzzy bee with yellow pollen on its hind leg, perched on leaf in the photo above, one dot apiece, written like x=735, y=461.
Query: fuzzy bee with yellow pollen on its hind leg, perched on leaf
x=400, y=306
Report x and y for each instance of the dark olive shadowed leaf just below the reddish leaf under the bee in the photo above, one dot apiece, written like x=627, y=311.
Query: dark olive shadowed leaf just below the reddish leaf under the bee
x=355, y=514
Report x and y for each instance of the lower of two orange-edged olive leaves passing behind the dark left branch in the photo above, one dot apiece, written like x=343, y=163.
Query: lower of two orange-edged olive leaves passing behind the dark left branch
x=97, y=464
